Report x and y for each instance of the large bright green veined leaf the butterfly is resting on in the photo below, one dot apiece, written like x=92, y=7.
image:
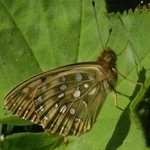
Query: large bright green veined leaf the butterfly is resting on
x=41, y=35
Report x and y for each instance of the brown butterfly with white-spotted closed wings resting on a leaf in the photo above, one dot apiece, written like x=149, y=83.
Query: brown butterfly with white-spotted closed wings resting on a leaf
x=66, y=100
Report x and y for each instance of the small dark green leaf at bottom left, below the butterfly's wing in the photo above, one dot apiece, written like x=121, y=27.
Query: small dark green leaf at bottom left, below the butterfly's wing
x=32, y=141
